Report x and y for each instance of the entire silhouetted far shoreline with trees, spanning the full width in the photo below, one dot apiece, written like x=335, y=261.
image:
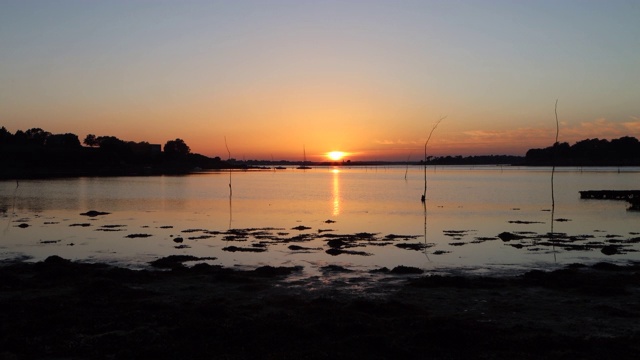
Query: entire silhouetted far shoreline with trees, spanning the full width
x=39, y=153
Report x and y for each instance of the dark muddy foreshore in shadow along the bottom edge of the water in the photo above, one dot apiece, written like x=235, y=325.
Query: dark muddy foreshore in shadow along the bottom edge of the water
x=58, y=309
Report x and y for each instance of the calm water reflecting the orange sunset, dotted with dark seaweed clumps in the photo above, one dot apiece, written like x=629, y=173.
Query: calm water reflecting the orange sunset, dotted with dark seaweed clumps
x=269, y=211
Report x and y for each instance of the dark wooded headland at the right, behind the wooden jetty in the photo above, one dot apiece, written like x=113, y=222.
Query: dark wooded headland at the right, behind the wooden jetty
x=624, y=151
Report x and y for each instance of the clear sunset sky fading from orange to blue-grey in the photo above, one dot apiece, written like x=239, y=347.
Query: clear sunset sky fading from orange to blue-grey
x=279, y=79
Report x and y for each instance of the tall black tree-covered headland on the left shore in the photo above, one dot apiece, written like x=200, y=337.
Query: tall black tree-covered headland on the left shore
x=39, y=153
